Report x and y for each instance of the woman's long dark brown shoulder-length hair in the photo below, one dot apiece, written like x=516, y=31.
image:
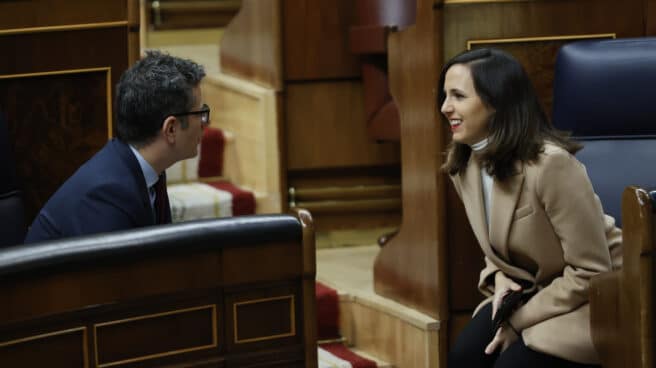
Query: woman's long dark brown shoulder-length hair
x=518, y=127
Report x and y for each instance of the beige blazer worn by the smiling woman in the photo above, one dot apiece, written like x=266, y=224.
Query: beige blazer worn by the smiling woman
x=547, y=226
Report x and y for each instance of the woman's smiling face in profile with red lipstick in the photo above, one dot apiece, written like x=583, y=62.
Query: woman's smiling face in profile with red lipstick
x=467, y=114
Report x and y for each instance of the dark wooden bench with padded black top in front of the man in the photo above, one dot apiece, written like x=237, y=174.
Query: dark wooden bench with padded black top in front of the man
x=224, y=292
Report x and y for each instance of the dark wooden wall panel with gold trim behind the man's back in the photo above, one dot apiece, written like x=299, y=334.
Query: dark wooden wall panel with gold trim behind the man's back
x=58, y=121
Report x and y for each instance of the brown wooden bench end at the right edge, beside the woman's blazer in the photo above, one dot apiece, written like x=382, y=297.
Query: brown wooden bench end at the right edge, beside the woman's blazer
x=622, y=301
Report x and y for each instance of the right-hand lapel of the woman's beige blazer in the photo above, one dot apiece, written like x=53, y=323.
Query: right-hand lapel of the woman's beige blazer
x=504, y=201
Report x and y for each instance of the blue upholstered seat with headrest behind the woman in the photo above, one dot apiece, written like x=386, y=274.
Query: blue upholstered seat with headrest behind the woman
x=605, y=94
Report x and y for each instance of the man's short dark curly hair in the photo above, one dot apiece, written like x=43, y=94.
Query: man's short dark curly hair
x=154, y=88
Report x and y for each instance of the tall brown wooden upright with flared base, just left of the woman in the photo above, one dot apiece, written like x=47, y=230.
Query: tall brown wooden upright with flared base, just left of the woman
x=411, y=267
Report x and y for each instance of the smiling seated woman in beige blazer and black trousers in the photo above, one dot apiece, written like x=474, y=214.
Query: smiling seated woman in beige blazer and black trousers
x=534, y=213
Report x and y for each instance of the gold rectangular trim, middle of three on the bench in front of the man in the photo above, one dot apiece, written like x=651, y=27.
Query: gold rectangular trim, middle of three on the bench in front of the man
x=214, y=344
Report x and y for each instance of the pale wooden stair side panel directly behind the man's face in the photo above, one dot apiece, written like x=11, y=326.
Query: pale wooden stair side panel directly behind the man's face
x=251, y=114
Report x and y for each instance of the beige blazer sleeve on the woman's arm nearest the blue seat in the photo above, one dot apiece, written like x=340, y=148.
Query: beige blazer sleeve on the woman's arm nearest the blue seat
x=577, y=218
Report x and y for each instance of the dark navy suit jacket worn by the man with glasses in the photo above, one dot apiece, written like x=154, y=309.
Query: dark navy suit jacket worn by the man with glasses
x=106, y=193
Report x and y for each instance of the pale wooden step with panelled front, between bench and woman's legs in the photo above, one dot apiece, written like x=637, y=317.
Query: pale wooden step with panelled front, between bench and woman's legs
x=371, y=323
